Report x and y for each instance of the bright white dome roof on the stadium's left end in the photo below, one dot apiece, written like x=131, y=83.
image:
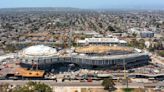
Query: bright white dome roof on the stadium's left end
x=39, y=50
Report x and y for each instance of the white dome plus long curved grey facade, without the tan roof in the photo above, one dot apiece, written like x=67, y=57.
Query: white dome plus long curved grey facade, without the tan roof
x=46, y=57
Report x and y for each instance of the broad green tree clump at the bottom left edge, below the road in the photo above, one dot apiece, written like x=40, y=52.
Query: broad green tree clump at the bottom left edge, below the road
x=33, y=87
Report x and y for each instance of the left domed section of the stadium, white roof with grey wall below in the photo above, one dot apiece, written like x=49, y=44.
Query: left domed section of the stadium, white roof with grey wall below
x=35, y=55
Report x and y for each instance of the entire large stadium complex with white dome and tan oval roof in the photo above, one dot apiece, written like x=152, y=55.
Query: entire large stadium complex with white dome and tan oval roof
x=89, y=56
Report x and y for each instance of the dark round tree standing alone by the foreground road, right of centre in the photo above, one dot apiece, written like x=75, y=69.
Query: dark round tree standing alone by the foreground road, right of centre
x=108, y=84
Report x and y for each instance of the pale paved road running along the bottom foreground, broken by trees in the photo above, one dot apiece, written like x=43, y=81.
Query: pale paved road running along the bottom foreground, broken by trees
x=80, y=84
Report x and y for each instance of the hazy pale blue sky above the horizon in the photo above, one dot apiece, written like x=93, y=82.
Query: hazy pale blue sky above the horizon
x=91, y=4
